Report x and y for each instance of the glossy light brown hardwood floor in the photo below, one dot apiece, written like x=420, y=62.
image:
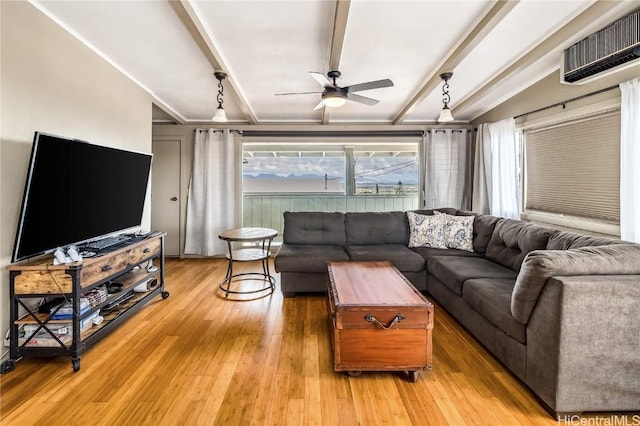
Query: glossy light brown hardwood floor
x=196, y=358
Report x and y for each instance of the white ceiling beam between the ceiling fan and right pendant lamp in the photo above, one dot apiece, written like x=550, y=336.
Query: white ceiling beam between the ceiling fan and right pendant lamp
x=498, y=11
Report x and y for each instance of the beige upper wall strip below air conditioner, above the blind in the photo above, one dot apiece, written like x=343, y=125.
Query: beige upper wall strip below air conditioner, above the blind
x=549, y=91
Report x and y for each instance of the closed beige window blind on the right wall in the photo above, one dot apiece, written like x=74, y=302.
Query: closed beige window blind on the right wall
x=573, y=168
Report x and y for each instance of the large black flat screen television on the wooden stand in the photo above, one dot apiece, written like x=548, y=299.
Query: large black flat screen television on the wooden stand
x=76, y=192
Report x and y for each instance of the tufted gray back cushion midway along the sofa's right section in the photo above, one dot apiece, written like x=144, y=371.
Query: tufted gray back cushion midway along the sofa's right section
x=513, y=239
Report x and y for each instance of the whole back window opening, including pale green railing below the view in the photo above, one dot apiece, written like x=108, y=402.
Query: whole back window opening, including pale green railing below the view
x=351, y=176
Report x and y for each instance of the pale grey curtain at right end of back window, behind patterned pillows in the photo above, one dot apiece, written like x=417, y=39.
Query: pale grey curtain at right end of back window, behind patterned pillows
x=446, y=174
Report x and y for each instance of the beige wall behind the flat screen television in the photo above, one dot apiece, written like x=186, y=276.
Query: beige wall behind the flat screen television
x=51, y=82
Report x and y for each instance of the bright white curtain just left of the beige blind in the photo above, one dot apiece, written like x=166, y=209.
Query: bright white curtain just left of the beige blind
x=496, y=183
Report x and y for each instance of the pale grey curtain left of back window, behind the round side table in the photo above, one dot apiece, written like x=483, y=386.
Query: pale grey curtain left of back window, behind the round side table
x=214, y=192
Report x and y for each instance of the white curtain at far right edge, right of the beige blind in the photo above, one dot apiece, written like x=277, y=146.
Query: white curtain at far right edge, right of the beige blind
x=630, y=160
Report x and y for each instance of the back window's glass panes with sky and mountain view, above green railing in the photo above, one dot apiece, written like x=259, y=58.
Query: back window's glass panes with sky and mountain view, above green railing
x=354, y=169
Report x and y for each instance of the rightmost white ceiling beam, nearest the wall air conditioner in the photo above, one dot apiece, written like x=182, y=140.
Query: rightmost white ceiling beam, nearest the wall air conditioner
x=553, y=42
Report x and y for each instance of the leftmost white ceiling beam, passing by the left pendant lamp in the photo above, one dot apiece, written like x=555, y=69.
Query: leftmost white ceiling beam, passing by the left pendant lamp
x=196, y=29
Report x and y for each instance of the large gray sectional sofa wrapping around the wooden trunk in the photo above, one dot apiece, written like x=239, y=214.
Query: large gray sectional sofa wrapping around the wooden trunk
x=560, y=310
